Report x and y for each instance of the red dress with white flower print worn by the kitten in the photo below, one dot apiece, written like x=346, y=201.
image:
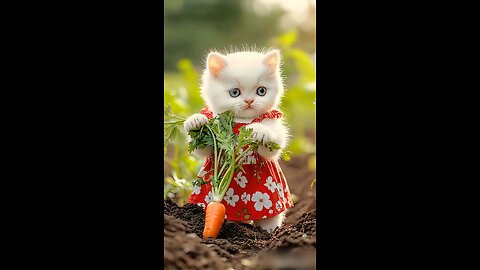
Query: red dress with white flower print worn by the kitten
x=259, y=192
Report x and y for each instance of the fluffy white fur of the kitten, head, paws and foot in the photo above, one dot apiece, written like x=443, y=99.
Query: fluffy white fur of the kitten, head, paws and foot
x=246, y=71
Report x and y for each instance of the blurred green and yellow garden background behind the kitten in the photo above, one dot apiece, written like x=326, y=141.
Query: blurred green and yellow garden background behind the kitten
x=193, y=27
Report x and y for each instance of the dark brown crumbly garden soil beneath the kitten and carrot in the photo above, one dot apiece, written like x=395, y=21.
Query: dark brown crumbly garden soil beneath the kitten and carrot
x=244, y=246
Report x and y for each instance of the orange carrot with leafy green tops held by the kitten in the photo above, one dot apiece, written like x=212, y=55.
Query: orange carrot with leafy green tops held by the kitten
x=218, y=134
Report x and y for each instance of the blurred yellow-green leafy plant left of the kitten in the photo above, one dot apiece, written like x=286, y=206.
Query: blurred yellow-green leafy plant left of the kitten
x=181, y=95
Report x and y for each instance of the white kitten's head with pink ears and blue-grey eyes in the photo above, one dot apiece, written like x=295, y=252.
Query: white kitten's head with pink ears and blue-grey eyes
x=248, y=83
